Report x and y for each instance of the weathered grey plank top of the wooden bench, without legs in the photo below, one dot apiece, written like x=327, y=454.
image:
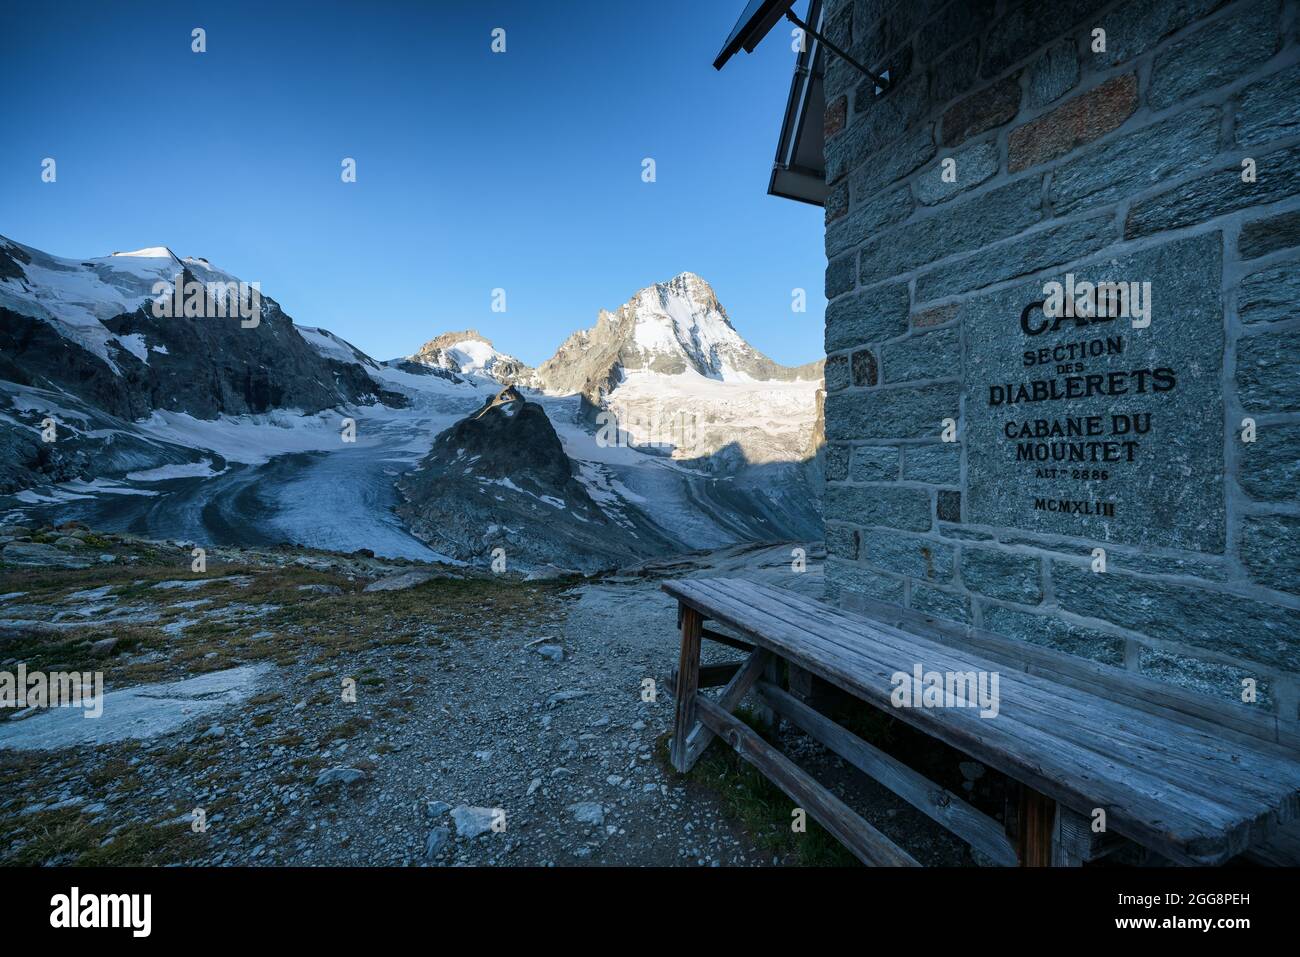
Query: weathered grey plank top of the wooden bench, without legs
x=1169, y=786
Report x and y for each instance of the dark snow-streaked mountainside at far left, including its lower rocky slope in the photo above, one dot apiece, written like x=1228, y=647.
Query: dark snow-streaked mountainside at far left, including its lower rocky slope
x=81, y=348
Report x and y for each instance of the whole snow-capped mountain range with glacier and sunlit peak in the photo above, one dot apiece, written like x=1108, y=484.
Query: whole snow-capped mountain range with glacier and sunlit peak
x=675, y=432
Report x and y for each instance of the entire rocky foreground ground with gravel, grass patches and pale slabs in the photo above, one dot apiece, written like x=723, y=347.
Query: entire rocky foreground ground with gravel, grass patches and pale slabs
x=497, y=721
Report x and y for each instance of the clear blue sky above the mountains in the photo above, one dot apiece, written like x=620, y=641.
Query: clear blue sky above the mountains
x=475, y=170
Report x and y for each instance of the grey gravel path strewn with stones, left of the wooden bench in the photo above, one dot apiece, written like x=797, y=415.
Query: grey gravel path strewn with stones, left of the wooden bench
x=565, y=750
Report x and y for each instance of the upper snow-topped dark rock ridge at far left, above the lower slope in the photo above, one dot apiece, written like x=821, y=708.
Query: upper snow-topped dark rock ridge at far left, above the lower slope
x=89, y=330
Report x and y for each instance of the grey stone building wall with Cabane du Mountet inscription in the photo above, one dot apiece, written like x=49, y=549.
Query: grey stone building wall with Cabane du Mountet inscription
x=1132, y=163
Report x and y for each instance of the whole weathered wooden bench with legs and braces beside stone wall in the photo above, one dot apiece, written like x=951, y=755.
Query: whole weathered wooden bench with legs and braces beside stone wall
x=1191, y=780
